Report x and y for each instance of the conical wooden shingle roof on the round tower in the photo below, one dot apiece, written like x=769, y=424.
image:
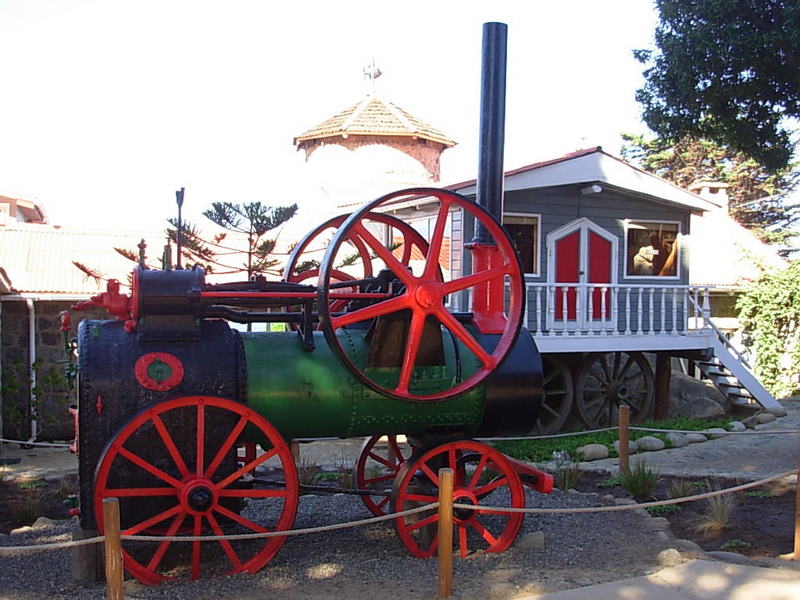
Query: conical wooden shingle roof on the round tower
x=375, y=117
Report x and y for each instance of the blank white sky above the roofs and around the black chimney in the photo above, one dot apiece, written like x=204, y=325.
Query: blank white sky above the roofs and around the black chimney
x=107, y=107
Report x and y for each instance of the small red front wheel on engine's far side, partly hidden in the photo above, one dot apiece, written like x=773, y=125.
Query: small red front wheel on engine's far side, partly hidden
x=376, y=469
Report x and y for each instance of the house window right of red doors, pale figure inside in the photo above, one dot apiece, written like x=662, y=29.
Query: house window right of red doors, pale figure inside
x=651, y=249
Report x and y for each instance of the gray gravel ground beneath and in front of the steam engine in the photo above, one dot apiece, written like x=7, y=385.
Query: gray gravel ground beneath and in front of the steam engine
x=371, y=562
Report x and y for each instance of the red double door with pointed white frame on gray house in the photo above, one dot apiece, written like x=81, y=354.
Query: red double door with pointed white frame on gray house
x=584, y=255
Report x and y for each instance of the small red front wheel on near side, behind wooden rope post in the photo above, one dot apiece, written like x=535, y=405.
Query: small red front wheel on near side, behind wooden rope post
x=482, y=477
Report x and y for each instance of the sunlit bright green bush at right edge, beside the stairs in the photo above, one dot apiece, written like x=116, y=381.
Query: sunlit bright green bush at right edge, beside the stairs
x=769, y=316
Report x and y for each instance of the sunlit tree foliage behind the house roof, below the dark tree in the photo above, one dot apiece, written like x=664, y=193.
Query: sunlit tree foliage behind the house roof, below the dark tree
x=757, y=197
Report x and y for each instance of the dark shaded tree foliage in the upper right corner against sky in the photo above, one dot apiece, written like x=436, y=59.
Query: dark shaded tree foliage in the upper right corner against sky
x=725, y=70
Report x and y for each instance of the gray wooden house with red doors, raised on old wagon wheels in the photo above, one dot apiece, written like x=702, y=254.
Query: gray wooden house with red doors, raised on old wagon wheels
x=605, y=249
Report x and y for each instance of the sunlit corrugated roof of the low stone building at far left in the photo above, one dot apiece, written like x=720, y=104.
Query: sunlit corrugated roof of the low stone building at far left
x=39, y=258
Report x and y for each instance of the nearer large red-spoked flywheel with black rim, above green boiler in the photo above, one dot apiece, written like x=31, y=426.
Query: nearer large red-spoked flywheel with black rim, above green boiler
x=493, y=294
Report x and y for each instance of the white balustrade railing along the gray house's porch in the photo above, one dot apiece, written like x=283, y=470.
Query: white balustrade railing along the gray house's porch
x=571, y=309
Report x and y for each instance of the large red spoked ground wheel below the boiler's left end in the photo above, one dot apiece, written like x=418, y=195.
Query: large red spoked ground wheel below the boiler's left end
x=176, y=471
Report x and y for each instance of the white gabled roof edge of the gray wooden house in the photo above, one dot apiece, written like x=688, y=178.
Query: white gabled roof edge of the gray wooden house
x=593, y=165
